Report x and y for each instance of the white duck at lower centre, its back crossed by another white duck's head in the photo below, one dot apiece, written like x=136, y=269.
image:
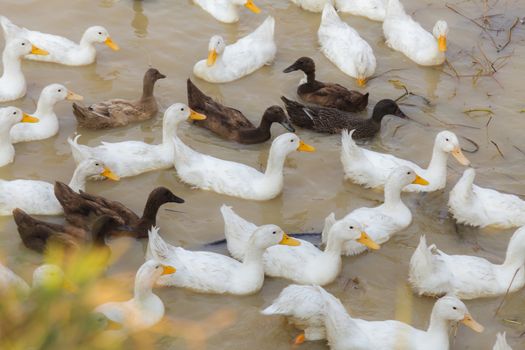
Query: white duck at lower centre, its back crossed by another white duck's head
x=305, y=264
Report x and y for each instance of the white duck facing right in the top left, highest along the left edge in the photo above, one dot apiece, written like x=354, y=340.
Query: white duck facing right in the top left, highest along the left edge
x=61, y=50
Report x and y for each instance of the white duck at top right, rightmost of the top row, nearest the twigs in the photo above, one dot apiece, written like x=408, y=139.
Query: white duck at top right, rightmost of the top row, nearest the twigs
x=405, y=35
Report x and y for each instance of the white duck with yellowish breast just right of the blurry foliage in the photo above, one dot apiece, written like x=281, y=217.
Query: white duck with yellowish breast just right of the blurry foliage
x=145, y=309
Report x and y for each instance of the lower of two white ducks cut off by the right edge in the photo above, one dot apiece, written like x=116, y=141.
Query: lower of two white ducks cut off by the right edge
x=432, y=272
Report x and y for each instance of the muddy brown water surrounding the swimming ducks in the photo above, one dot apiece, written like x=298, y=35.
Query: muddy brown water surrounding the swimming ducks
x=173, y=35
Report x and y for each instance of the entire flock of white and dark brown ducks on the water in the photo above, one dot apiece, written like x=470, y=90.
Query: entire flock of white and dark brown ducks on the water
x=256, y=250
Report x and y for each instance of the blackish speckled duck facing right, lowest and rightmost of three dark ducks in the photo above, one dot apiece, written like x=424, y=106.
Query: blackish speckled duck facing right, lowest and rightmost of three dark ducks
x=333, y=121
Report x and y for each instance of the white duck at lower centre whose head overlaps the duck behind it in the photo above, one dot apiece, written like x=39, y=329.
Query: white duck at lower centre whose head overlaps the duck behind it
x=208, y=272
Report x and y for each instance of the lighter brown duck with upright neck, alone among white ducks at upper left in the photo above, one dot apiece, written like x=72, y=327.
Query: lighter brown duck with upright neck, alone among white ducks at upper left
x=119, y=112
